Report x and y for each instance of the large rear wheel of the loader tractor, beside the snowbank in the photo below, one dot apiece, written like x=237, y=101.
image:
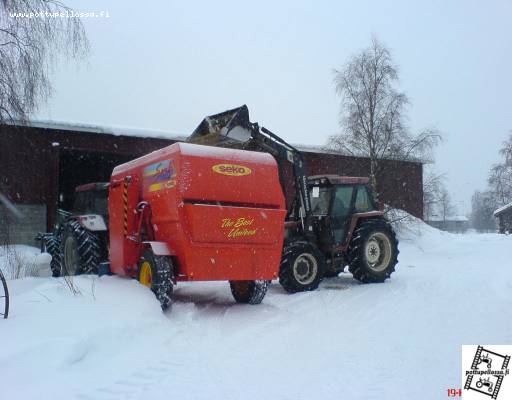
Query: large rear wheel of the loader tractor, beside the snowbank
x=373, y=251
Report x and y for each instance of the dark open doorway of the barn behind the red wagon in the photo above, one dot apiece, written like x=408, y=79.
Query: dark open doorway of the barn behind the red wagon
x=78, y=167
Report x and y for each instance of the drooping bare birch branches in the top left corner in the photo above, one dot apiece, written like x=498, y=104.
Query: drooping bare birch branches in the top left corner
x=29, y=48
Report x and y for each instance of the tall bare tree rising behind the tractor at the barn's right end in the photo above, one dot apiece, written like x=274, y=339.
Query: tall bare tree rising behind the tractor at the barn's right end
x=373, y=112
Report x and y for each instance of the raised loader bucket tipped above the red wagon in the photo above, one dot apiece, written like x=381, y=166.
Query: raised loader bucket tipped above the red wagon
x=230, y=127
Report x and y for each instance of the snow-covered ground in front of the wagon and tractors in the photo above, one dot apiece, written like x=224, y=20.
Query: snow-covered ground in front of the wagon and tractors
x=397, y=340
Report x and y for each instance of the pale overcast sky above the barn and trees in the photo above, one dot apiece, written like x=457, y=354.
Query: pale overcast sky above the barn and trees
x=166, y=64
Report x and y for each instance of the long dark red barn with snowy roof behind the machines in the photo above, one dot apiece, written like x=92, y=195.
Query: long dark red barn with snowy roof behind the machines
x=42, y=162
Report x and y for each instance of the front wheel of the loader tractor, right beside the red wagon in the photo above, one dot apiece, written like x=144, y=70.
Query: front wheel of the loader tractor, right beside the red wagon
x=302, y=267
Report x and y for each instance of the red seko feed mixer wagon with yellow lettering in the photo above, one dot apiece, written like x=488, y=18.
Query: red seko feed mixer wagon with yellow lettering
x=196, y=213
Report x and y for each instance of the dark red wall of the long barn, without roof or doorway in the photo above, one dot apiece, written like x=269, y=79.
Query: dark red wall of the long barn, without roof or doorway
x=30, y=157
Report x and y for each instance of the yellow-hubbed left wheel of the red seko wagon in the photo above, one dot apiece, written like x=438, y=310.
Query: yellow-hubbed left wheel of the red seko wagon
x=162, y=275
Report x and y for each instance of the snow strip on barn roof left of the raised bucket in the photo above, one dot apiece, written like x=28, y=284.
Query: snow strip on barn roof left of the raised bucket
x=102, y=129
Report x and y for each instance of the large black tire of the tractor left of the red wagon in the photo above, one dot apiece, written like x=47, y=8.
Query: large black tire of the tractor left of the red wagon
x=80, y=250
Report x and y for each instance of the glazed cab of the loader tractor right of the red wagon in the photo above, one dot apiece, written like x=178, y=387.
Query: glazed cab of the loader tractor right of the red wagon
x=334, y=201
